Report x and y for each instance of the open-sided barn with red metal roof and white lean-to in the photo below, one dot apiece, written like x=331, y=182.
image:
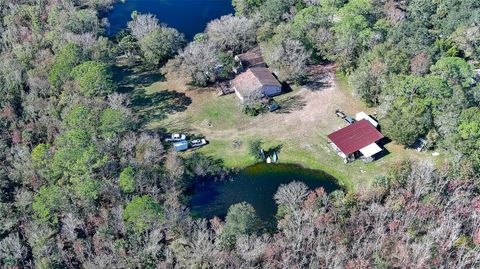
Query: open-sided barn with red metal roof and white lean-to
x=357, y=140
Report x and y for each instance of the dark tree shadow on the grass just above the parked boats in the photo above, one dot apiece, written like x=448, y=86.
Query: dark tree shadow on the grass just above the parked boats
x=158, y=105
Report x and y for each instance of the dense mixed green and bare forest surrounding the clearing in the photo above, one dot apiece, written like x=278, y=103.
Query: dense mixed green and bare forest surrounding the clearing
x=83, y=185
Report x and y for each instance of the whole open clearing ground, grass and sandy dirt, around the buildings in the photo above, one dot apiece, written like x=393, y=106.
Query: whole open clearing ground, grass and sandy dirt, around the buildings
x=299, y=128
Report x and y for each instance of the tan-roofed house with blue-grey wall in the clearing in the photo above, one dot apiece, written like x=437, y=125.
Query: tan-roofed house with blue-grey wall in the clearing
x=256, y=79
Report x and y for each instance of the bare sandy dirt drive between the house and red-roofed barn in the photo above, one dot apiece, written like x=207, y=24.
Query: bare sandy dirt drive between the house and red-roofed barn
x=307, y=111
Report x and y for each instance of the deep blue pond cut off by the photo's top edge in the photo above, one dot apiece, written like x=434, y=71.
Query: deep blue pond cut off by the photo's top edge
x=187, y=16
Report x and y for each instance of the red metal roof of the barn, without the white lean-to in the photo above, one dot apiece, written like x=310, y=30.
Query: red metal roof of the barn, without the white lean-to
x=355, y=136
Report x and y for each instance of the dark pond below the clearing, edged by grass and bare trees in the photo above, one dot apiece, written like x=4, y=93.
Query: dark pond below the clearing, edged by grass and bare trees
x=255, y=185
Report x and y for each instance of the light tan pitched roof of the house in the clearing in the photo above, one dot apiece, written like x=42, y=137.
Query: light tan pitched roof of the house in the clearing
x=254, y=79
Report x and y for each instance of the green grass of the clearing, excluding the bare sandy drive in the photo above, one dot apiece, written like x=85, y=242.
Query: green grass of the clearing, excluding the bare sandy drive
x=165, y=107
